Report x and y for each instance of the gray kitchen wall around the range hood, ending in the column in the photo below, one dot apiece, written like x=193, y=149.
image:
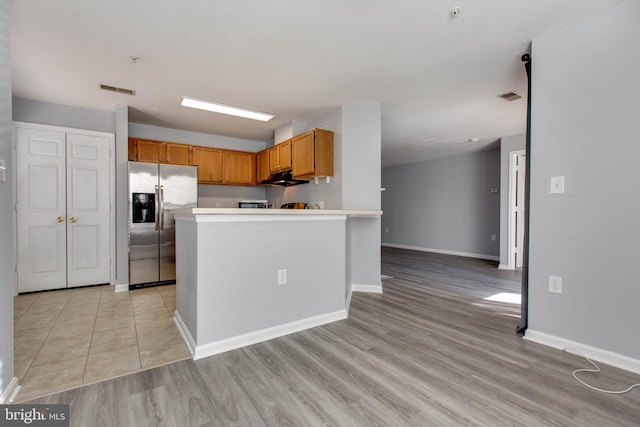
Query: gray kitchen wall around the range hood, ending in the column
x=355, y=184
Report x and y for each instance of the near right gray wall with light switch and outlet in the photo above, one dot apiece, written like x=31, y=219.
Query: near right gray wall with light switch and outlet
x=585, y=128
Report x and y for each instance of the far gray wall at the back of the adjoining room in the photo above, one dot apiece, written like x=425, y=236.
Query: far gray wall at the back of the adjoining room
x=444, y=205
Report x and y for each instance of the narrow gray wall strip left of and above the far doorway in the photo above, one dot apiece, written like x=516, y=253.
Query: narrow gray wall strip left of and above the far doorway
x=507, y=145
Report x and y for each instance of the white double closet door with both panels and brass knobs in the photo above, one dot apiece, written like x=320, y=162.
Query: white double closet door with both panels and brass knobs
x=63, y=208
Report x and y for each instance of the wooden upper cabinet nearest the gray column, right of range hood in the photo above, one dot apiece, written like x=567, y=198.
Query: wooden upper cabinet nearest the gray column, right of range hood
x=312, y=154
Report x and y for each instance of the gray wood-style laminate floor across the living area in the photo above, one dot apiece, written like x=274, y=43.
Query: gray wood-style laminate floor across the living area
x=430, y=351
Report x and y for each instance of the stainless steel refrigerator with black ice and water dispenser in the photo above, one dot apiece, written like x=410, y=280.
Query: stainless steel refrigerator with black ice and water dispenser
x=155, y=191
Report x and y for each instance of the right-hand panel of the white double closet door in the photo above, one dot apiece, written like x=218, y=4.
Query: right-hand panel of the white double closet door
x=88, y=250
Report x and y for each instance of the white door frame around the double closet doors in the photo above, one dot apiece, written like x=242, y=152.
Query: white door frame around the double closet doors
x=112, y=189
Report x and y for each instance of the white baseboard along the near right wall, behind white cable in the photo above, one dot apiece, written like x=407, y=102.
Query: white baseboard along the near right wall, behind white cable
x=598, y=354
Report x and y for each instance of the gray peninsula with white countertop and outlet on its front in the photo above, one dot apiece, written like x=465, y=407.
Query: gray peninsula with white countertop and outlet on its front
x=248, y=275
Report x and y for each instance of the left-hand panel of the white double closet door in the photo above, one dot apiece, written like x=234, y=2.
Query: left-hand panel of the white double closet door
x=41, y=210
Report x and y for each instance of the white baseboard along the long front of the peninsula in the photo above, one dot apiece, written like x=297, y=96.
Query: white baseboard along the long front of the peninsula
x=239, y=341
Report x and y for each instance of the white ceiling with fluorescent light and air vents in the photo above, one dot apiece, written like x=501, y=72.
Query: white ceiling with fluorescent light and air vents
x=436, y=77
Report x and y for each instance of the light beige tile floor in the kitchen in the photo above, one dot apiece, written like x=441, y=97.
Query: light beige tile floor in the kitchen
x=68, y=338
